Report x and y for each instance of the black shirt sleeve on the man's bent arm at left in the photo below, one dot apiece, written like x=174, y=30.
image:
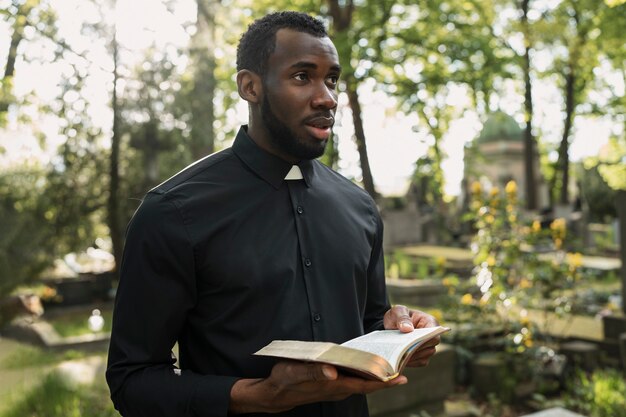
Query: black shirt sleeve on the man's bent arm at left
x=156, y=291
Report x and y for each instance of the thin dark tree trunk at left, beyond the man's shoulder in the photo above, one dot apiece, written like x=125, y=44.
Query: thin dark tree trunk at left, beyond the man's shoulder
x=114, y=175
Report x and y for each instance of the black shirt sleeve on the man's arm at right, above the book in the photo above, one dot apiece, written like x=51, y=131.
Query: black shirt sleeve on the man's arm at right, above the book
x=377, y=300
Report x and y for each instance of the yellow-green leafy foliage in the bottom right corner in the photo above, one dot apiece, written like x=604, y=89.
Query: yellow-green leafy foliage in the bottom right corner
x=601, y=394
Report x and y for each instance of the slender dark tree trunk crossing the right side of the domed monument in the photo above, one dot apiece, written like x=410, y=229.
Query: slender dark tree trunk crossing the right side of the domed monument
x=529, y=140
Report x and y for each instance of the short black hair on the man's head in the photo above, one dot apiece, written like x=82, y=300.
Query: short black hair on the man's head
x=259, y=41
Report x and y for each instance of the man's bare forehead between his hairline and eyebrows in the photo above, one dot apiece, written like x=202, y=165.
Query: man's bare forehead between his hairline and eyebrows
x=294, y=47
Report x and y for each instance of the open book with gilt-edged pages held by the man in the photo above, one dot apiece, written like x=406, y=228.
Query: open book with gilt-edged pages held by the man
x=378, y=355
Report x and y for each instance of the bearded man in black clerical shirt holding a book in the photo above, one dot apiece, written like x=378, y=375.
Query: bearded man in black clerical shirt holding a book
x=255, y=243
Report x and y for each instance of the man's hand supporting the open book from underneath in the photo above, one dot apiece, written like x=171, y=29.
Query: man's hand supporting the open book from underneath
x=296, y=383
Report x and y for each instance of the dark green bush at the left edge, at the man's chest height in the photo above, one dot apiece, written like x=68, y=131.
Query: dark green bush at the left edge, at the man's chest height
x=41, y=219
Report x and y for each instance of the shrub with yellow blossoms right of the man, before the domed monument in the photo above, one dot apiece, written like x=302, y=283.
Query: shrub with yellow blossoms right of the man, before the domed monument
x=509, y=275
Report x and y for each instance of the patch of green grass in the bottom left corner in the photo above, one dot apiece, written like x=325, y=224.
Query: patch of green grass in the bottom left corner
x=54, y=397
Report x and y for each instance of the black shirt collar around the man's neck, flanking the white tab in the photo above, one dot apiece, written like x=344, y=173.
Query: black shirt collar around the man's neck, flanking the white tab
x=269, y=167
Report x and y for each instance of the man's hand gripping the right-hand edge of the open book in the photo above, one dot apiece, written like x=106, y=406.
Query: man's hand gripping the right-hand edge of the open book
x=401, y=318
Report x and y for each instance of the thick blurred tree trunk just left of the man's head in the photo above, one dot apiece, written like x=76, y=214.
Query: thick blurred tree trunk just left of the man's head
x=203, y=66
